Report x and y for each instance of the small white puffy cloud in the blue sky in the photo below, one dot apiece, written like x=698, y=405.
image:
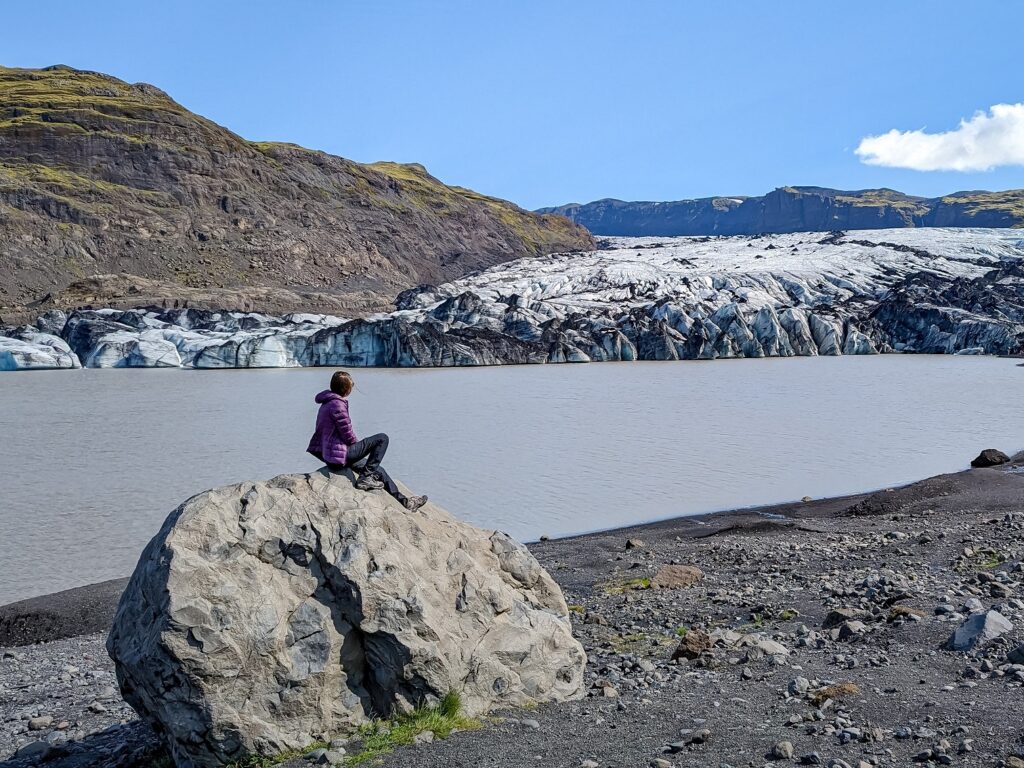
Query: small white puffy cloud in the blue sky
x=982, y=144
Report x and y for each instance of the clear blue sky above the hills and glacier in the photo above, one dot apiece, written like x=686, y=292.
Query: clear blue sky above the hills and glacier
x=548, y=103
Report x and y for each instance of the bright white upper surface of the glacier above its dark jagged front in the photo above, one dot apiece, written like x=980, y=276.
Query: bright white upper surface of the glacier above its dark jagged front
x=758, y=271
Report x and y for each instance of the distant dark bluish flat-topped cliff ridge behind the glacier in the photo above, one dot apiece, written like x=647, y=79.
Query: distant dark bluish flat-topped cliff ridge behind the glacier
x=795, y=209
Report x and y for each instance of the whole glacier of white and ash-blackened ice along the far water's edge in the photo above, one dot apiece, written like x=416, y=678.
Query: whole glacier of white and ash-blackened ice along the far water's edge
x=927, y=290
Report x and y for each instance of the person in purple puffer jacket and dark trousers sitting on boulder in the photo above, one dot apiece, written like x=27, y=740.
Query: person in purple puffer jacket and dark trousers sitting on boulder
x=335, y=444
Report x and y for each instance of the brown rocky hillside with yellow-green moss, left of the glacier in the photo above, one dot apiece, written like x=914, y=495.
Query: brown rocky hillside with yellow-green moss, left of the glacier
x=99, y=177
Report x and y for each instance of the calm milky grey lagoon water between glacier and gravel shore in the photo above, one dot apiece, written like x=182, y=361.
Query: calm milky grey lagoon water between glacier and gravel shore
x=93, y=461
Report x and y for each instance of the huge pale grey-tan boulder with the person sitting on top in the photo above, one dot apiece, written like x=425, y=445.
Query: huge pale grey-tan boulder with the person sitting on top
x=268, y=616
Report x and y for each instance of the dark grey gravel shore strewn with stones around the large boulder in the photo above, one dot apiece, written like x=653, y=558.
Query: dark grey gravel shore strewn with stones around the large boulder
x=815, y=633
